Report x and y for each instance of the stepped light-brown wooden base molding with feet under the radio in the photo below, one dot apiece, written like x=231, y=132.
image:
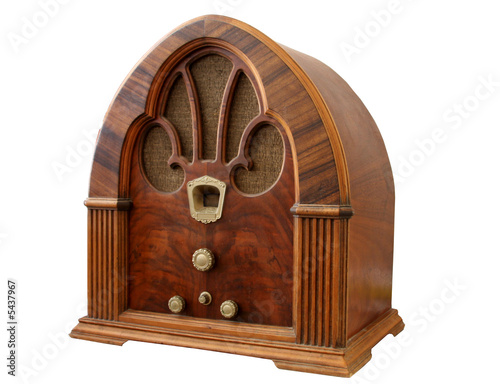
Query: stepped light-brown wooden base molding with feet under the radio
x=342, y=362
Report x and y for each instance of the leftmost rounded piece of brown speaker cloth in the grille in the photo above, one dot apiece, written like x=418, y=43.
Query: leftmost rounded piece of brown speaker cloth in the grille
x=156, y=151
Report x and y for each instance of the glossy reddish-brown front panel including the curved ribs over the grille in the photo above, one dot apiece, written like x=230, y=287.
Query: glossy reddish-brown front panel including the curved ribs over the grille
x=163, y=235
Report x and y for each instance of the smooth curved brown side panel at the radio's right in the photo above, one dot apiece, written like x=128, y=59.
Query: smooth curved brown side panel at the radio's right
x=371, y=229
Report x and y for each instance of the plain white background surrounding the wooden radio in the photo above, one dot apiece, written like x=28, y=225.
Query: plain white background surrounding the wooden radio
x=414, y=73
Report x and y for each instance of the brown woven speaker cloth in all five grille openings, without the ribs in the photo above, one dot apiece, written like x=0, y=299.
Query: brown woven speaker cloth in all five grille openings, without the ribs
x=210, y=76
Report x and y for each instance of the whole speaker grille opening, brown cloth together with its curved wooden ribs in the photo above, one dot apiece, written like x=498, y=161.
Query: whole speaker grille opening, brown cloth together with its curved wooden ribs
x=211, y=110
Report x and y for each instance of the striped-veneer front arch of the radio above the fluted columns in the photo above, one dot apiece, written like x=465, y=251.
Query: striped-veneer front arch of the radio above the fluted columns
x=143, y=85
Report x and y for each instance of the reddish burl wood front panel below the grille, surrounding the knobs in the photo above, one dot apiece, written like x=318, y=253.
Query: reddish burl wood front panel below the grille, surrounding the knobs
x=252, y=243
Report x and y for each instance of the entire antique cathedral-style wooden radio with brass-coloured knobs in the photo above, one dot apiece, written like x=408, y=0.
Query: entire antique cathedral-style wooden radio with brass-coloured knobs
x=241, y=200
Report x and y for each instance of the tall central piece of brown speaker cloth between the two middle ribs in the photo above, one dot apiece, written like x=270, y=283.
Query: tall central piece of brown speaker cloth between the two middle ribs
x=210, y=74
